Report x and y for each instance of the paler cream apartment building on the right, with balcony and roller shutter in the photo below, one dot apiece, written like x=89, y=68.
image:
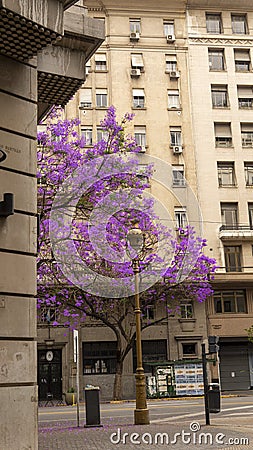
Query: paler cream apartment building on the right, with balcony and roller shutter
x=220, y=37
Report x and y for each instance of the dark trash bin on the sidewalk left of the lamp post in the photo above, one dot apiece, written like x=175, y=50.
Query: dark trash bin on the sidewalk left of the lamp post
x=92, y=407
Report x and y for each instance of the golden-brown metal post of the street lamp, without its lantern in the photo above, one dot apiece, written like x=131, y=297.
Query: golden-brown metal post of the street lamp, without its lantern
x=141, y=413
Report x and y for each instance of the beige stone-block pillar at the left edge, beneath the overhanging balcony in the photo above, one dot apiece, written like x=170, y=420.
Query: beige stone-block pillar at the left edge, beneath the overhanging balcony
x=18, y=390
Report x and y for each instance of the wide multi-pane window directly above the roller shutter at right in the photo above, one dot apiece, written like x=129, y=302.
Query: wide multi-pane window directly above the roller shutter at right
x=229, y=302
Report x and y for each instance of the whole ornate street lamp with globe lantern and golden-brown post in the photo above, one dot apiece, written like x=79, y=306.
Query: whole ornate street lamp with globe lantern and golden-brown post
x=136, y=242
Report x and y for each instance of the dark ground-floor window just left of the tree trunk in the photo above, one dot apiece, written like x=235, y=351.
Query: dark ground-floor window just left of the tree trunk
x=99, y=357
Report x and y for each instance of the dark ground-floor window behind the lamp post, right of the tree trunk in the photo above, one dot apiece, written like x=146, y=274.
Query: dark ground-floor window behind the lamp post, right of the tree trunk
x=152, y=350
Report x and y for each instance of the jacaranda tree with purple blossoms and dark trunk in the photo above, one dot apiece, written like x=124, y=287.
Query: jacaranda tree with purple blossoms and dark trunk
x=88, y=199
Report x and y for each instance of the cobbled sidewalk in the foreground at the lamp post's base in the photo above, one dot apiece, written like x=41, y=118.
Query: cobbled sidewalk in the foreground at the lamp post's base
x=226, y=433
